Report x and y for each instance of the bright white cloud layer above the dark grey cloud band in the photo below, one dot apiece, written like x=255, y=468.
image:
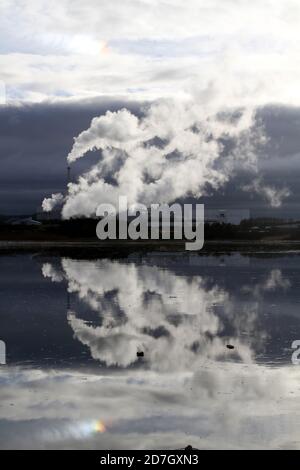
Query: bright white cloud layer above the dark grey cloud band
x=78, y=50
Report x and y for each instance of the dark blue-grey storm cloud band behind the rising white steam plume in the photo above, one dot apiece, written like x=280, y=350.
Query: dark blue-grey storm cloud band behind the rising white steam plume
x=35, y=140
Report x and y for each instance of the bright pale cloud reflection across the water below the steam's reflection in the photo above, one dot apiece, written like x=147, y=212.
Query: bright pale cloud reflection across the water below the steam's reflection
x=220, y=405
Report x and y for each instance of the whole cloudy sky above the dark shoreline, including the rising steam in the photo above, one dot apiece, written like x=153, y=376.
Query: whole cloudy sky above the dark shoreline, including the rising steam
x=176, y=68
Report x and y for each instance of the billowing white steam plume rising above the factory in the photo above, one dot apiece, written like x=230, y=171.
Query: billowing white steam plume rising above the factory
x=175, y=149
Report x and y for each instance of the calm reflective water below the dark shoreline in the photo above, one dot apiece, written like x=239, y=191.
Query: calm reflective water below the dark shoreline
x=73, y=328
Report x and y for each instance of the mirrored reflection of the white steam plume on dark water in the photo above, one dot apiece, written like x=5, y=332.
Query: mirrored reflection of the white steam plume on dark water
x=172, y=318
